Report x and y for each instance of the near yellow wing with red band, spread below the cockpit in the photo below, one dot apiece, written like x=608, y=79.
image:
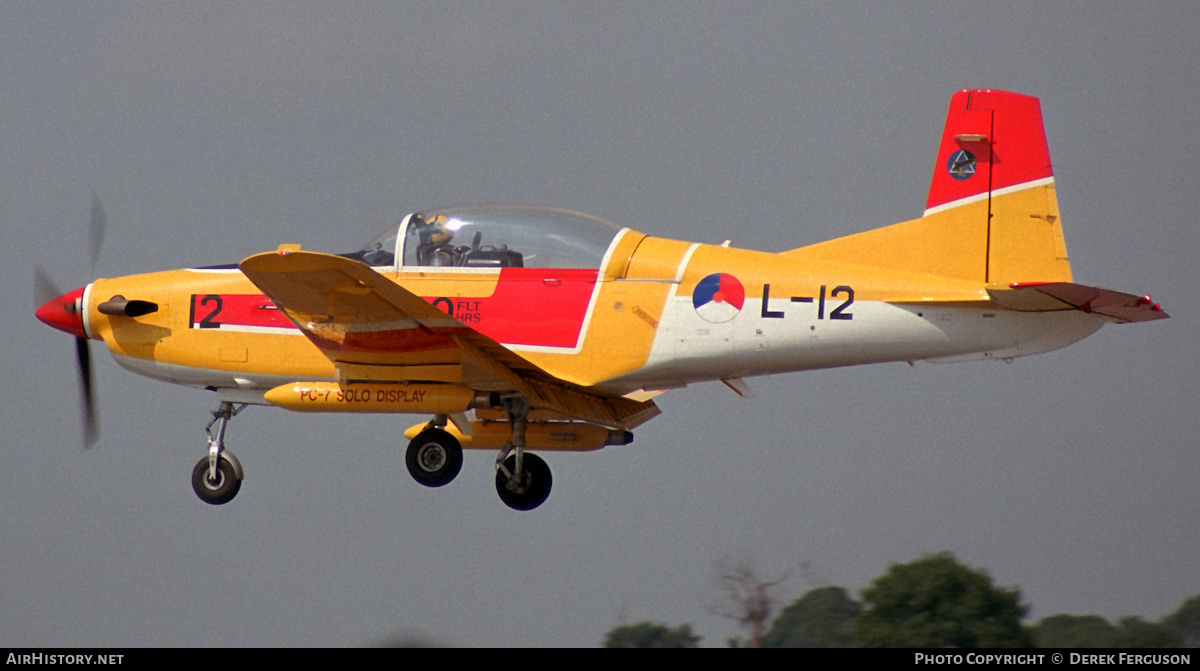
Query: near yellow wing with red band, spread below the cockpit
x=376, y=331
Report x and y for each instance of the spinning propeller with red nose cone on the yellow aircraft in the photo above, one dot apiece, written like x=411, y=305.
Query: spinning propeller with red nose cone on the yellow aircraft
x=65, y=311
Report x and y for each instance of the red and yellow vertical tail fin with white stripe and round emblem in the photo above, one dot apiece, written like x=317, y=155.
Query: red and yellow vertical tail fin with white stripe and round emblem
x=992, y=215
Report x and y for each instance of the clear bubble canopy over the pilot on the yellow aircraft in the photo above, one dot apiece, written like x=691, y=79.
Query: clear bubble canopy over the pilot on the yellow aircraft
x=493, y=237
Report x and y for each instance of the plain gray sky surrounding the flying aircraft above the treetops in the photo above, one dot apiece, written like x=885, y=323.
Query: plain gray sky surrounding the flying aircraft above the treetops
x=214, y=131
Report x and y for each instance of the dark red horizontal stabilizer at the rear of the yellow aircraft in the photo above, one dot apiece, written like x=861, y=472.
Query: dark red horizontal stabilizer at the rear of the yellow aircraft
x=1046, y=297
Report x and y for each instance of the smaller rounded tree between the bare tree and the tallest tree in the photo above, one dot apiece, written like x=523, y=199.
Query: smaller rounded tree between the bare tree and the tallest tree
x=821, y=619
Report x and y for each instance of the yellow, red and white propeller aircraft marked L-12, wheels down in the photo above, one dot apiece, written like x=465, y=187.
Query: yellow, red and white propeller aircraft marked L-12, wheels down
x=524, y=329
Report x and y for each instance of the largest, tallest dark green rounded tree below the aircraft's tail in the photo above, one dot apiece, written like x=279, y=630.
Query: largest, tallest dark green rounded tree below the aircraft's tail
x=937, y=602
